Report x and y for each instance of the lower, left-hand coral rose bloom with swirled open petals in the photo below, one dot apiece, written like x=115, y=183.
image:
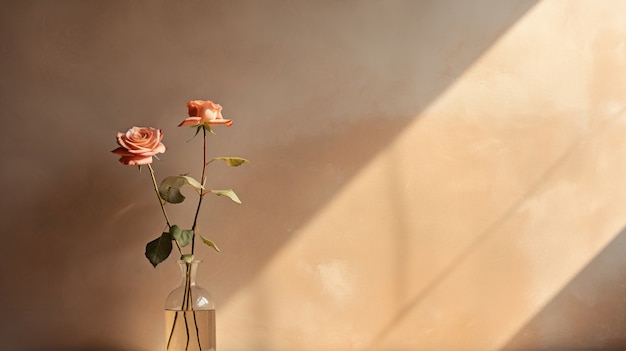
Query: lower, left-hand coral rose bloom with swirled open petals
x=138, y=145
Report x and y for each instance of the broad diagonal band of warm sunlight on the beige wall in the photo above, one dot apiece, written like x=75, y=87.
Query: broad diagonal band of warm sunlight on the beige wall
x=478, y=214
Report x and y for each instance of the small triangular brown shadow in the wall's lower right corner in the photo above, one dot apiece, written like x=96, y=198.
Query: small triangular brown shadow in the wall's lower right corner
x=588, y=313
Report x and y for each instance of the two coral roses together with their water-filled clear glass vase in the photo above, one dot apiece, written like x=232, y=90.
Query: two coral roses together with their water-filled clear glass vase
x=137, y=147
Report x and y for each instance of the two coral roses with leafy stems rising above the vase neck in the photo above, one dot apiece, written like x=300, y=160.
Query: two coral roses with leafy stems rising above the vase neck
x=139, y=145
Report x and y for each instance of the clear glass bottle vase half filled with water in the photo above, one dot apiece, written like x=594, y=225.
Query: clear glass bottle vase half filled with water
x=189, y=314
